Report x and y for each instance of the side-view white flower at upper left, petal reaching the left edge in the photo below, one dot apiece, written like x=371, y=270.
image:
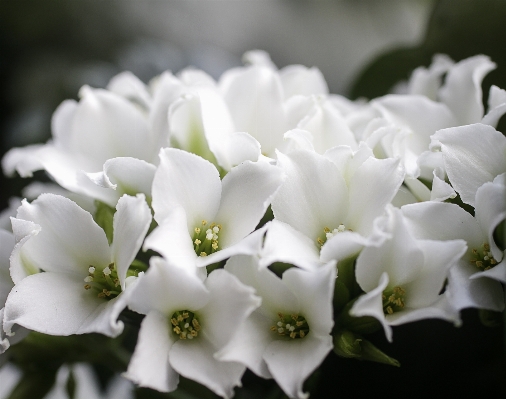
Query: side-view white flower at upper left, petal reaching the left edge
x=102, y=127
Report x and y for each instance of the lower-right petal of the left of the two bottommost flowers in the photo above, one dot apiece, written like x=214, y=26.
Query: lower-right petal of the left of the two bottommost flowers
x=194, y=359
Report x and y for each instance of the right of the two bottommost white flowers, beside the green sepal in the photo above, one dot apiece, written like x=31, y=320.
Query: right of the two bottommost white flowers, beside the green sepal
x=289, y=335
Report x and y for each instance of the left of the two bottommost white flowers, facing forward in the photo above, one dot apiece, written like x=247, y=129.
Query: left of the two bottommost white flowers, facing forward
x=187, y=321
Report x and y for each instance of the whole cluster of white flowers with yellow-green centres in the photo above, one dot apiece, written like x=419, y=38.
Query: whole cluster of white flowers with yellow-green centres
x=252, y=194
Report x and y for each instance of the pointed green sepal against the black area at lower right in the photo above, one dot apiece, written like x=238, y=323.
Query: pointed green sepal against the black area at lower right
x=350, y=345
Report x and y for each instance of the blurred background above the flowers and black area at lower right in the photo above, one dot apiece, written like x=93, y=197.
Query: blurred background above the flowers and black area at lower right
x=49, y=49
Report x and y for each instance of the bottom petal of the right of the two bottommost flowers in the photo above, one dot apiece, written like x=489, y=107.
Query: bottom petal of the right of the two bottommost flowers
x=291, y=362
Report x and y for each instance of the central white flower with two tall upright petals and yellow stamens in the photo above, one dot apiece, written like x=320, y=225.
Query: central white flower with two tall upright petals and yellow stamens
x=203, y=219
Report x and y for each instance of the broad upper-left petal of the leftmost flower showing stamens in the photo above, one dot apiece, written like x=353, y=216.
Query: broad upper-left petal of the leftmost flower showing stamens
x=69, y=239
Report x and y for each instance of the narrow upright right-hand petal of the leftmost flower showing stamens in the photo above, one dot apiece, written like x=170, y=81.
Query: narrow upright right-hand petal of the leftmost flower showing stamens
x=131, y=223
